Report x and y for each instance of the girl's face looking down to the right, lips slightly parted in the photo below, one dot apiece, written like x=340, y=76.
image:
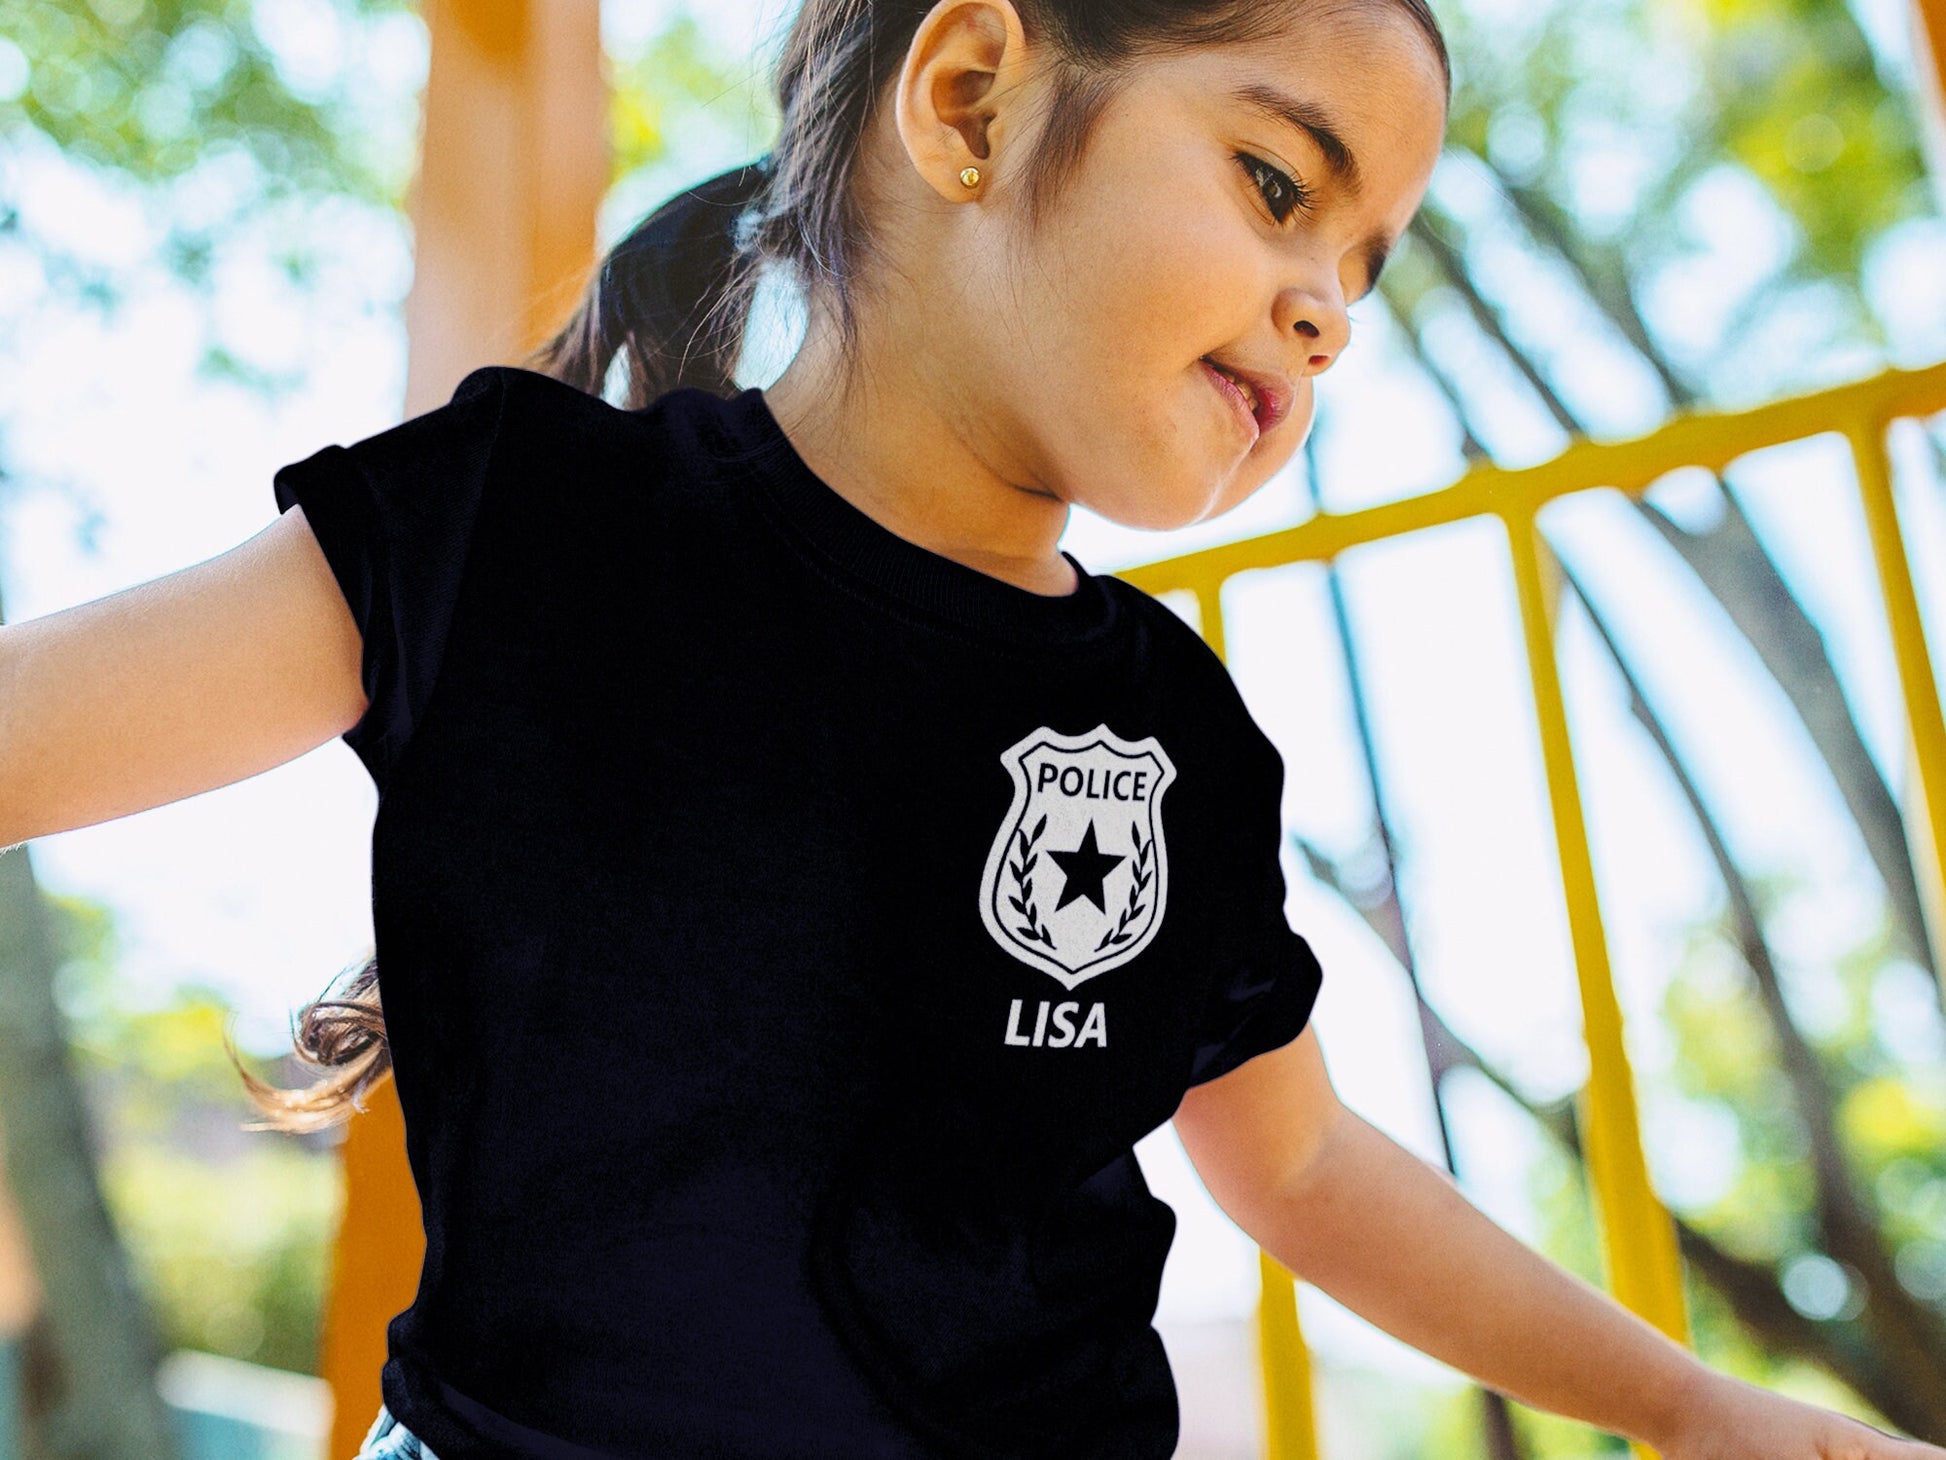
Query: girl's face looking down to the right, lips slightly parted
x=1204, y=223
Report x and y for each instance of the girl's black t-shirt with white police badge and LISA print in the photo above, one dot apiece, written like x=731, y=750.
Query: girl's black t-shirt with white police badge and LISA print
x=785, y=937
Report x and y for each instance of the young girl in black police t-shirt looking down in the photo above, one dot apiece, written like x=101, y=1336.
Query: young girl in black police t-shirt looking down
x=797, y=883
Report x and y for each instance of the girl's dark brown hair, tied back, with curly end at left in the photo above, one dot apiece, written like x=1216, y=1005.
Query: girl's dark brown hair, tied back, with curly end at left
x=674, y=297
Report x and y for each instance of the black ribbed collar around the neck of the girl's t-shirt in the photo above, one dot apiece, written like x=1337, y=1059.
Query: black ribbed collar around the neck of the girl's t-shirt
x=867, y=550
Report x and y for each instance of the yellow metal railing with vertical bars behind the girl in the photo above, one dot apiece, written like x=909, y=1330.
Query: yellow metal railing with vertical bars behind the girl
x=1638, y=1237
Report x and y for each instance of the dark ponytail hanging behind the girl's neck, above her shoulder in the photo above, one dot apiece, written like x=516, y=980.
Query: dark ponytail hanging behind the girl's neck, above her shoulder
x=672, y=299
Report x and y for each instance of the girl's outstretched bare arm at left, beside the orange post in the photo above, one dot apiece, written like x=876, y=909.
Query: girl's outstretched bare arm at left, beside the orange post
x=176, y=686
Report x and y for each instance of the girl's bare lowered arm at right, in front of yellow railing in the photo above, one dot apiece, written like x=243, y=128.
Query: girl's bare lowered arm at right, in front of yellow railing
x=1396, y=1241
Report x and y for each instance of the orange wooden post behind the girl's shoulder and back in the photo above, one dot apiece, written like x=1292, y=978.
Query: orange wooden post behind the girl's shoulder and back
x=515, y=163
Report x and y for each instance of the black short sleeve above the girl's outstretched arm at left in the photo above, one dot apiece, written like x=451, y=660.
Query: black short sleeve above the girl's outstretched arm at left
x=396, y=517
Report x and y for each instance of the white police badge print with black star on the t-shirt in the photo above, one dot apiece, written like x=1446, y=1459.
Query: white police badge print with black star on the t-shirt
x=1079, y=875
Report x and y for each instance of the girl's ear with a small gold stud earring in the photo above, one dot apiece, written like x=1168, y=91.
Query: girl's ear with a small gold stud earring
x=958, y=92
